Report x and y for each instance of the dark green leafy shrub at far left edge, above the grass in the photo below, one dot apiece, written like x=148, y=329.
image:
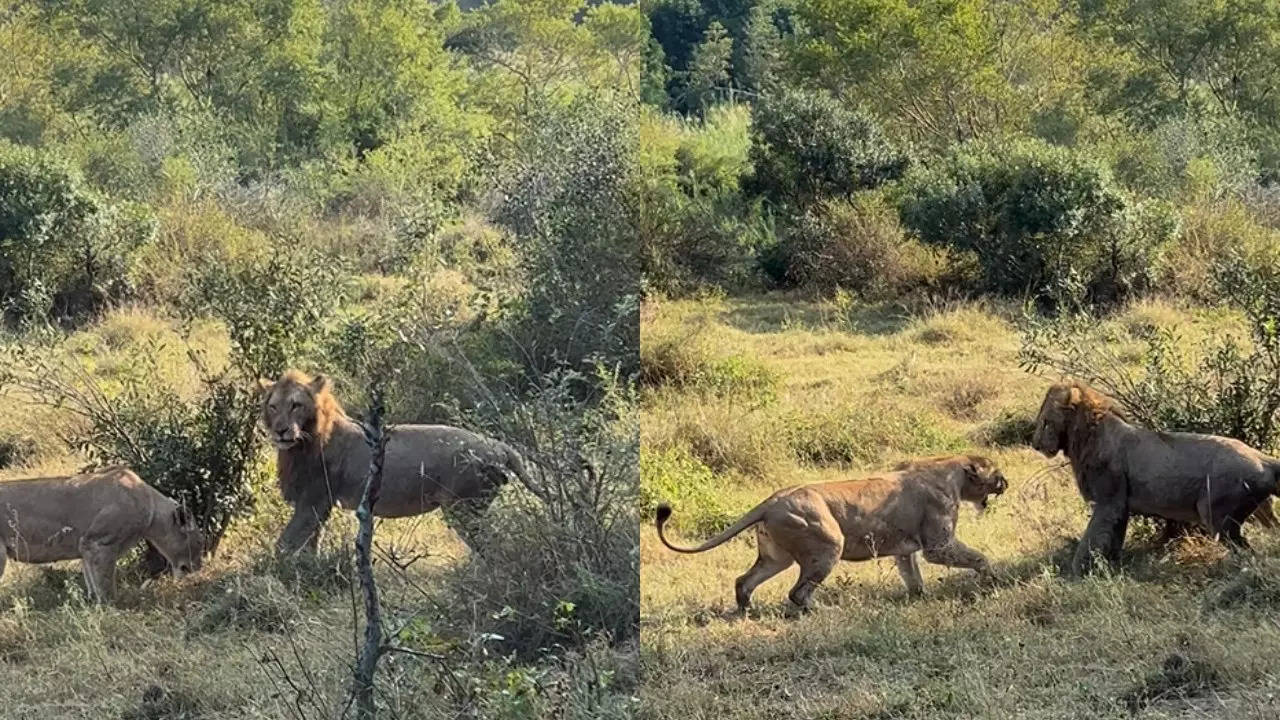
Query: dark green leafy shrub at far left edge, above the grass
x=63, y=249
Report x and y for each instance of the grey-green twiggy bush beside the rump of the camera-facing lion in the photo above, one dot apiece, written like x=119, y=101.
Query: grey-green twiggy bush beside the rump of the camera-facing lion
x=564, y=569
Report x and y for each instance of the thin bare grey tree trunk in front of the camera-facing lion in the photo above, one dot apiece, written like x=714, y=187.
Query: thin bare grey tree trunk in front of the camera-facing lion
x=367, y=664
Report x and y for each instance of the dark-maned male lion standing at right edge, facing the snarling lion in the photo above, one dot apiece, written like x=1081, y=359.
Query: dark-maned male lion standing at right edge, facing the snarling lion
x=1123, y=470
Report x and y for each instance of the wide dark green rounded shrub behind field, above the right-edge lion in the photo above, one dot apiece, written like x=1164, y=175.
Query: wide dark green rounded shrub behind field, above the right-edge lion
x=1036, y=216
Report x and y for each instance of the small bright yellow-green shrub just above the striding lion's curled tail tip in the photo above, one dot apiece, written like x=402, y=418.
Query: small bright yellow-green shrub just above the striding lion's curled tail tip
x=675, y=477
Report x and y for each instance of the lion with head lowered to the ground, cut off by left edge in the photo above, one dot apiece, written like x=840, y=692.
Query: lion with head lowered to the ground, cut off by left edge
x=95, y=517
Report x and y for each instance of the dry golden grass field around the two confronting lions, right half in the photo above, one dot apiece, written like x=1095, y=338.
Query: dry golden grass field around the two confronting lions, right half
x=749, y=395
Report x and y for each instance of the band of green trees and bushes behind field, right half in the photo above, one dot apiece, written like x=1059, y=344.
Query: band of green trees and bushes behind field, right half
x=1113, y=147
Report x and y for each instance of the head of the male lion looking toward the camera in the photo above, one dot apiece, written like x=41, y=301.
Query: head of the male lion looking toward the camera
x=298, y=409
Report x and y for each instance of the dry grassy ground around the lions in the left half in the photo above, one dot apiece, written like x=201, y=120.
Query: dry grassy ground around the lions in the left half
x=250, y=637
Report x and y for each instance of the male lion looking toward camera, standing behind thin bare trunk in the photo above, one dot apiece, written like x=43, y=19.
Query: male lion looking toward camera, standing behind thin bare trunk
x=323, y=461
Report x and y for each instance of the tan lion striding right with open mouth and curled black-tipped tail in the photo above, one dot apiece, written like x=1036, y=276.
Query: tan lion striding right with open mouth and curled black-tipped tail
x=900, y=513
